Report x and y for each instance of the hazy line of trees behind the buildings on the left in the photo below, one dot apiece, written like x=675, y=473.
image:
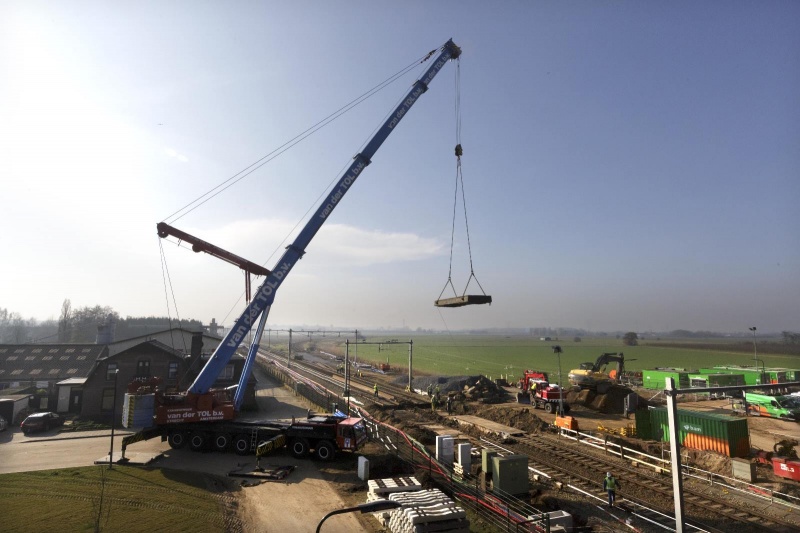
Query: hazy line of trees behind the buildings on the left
x=80, y=325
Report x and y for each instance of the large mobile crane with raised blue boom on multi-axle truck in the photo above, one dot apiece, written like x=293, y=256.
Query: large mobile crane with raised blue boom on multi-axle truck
x=203, y=416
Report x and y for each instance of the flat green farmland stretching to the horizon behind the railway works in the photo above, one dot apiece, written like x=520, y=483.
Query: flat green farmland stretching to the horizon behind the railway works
x=500, y=356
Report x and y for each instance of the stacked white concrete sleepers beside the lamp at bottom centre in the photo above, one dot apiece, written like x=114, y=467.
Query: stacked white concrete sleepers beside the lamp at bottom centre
x=420, y=511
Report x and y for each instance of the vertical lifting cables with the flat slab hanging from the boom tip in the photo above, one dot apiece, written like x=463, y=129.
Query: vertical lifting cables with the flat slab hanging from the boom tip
x=463, y=299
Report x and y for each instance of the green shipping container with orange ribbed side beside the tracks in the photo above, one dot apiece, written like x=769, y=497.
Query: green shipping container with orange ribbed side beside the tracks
x=704, y=431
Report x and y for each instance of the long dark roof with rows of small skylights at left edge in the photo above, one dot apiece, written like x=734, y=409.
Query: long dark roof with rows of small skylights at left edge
x=48, y=362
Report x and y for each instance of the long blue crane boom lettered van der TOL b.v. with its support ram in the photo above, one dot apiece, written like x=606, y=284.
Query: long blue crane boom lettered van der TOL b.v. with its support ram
x=262, y=301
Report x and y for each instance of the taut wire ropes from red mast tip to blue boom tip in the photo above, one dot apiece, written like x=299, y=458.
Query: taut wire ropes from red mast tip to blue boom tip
x=202, y=199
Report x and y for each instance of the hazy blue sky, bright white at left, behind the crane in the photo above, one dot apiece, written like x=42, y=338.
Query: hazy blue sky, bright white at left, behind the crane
x=627, y=165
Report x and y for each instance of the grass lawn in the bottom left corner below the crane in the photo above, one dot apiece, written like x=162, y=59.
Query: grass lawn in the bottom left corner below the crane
x=98, y=499
